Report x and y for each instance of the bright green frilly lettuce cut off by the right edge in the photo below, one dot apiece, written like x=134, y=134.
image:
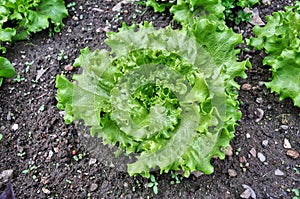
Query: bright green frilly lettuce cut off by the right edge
x=280, y=39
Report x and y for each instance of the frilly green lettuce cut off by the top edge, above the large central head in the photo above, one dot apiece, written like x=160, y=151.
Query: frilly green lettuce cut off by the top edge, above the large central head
x=185, y=10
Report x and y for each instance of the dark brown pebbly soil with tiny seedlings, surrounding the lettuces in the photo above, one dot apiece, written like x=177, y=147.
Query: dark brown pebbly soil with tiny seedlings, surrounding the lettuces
x=49, y=160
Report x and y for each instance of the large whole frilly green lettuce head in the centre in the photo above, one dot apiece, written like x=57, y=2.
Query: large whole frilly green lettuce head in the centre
x=167, y=97
